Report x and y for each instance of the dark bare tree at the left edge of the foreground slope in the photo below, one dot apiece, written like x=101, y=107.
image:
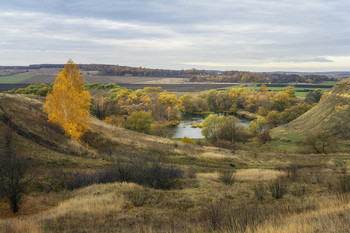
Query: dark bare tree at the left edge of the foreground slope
x=14, y=179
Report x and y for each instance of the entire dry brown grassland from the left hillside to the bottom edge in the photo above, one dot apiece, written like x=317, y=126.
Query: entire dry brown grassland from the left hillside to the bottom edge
x=202, y=201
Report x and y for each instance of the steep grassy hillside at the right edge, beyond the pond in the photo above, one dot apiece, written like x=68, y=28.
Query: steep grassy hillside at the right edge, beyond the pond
x=332, y=113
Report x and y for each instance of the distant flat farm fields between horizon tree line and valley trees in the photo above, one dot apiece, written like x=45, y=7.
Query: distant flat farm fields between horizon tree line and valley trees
x=25, y=77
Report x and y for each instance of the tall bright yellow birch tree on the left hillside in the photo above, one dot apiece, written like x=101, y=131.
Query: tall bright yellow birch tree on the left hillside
x=68, y=104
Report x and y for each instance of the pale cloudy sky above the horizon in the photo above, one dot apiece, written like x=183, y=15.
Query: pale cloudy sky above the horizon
x=250, y=35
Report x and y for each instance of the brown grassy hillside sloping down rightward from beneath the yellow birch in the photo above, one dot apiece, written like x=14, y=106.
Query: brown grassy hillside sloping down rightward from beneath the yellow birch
x=46, y=143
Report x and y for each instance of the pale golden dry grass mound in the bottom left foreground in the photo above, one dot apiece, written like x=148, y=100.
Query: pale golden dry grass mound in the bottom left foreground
x=89, y=206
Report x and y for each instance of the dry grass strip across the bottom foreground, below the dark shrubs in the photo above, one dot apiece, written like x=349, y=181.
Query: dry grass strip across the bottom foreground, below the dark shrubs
x=208, y=207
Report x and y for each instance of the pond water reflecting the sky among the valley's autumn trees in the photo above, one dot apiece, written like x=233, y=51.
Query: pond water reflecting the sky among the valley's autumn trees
x=184, y=129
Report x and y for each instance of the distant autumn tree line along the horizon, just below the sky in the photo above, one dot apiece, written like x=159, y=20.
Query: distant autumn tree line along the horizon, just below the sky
x=194, y=75
